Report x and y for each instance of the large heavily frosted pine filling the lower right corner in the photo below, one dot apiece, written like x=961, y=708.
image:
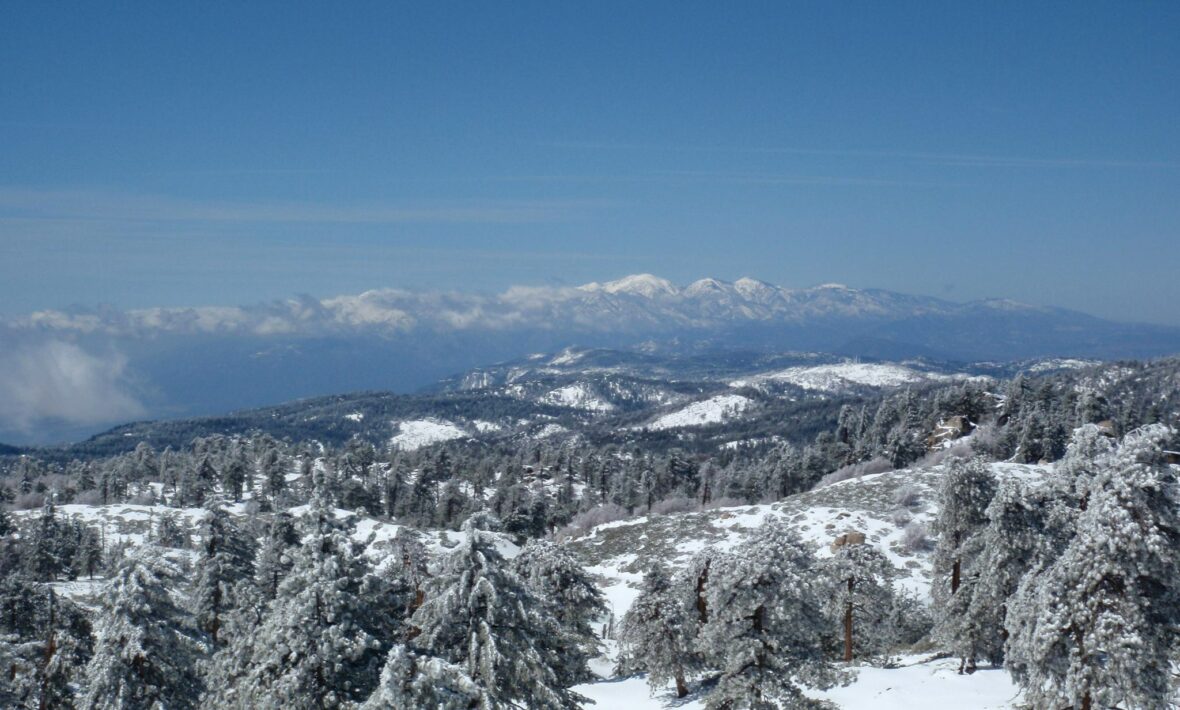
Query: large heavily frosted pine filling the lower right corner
x=1098, y=627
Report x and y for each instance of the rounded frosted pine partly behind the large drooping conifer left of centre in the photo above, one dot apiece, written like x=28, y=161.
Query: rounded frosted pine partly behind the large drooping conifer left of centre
x=572, y=599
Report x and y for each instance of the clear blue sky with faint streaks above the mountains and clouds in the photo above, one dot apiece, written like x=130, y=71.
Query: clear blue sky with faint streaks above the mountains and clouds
x=234, y=153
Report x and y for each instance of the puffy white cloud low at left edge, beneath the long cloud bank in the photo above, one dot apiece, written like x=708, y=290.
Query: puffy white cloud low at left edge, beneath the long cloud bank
x=57, y=380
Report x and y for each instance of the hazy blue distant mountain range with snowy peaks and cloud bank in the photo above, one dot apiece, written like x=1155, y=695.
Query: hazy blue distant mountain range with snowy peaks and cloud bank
x=185, y=361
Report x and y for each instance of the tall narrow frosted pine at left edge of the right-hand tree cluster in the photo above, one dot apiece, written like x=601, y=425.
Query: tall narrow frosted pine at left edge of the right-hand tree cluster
x=963, y=497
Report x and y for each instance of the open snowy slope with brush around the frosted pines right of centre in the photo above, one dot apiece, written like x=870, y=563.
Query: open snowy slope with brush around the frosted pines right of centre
x=620, y=553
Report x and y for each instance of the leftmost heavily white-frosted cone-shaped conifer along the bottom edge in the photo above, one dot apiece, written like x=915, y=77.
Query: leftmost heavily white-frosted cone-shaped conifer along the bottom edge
x=147, y=649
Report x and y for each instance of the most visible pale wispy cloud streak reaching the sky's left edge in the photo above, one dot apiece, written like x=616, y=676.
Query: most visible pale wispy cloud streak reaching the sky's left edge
x=19, y=203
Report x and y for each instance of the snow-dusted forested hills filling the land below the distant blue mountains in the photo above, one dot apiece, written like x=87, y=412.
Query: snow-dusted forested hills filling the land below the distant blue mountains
x=493, y=545
